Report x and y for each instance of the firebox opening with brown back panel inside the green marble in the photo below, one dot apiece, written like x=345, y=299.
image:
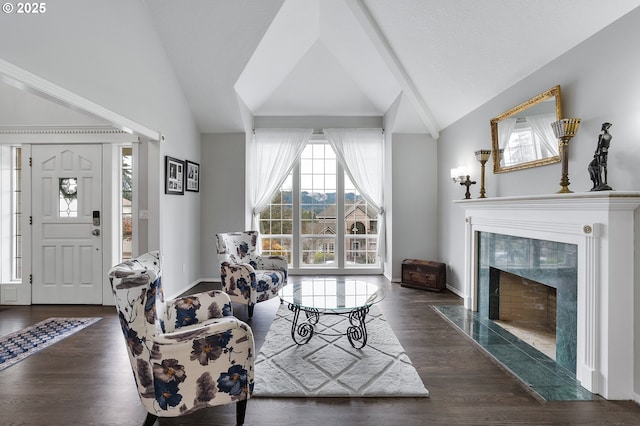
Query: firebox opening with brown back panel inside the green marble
x=525, y=308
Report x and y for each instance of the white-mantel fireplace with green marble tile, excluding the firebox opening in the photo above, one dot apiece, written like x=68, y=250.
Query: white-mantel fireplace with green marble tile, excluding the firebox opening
x=597, y=330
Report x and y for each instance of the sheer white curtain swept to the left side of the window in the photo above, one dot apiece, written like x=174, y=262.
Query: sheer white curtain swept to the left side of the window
x=272, y=155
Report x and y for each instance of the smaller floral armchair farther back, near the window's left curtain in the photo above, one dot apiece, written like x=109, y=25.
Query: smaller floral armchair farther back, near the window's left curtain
x=247, y=277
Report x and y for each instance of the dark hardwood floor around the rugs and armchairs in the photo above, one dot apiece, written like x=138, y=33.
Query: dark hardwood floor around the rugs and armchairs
x=86, y=379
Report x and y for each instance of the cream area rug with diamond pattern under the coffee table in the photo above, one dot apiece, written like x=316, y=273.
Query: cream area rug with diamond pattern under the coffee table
x=328, y=366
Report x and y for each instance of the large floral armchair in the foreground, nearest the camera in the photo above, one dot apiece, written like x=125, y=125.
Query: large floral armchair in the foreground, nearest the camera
x=186, y=354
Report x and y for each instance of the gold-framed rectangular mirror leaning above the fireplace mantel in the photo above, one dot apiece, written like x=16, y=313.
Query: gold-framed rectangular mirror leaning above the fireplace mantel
x=522, y=137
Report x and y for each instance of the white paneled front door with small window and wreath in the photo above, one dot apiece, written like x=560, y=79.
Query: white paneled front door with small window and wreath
x=66, y=214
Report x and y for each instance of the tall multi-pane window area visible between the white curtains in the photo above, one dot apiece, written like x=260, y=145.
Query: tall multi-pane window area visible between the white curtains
x=318, y=219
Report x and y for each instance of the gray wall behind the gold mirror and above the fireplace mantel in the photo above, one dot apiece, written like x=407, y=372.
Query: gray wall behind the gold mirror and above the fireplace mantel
x=599, y=82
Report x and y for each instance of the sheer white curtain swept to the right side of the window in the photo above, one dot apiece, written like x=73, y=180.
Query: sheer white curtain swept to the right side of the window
x=361, y=153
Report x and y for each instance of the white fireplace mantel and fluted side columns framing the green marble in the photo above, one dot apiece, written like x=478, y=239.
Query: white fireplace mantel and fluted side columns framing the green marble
x=603, y=227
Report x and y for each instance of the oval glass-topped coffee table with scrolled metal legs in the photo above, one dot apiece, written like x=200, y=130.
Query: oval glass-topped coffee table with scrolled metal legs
x=350, y=298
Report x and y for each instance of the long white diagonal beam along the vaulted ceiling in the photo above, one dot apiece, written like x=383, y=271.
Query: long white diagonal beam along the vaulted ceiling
x=371, y=28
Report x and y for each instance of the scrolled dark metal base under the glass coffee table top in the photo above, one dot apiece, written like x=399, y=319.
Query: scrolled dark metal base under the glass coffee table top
x=303, y=331
